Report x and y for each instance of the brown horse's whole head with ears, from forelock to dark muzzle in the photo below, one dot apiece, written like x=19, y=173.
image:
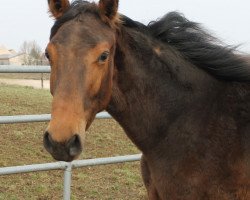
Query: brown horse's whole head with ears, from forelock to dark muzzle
x=81, y=54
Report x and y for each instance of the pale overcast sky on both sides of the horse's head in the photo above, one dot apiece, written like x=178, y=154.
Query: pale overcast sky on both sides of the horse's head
x=229, y=20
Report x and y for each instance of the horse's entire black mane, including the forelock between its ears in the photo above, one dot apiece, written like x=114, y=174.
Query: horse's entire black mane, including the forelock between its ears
x=196, y=44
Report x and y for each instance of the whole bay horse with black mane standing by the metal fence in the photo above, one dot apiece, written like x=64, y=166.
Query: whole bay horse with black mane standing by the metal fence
x=181, y=96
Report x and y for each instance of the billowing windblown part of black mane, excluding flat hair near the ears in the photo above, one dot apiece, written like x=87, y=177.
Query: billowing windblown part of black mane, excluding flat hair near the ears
x=200, y=48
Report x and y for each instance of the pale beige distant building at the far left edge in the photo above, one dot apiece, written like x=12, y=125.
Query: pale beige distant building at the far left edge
x=10, y=57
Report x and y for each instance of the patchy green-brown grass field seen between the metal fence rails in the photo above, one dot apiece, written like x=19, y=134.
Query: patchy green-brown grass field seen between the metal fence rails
x=21, y=144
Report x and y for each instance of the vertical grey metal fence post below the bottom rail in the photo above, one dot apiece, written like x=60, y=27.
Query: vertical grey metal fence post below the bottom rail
x=67, y=182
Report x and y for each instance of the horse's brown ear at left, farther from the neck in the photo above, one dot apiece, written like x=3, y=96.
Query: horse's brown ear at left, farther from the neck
x=58, y=7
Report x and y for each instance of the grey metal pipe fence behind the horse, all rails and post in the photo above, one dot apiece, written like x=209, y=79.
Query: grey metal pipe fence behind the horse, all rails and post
x=67, y=167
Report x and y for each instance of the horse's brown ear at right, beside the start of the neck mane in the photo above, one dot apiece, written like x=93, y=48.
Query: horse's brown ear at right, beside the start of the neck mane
x=109, y=9
